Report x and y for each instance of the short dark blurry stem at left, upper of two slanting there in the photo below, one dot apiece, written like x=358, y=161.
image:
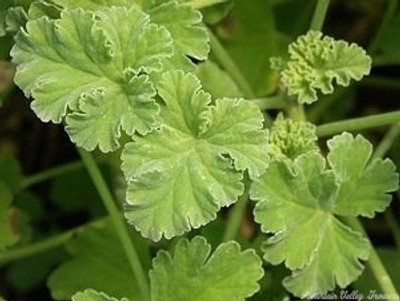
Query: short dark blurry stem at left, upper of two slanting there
x=50, y=173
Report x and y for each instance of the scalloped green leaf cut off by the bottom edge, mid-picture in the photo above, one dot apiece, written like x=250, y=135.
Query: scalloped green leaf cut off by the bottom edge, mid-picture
x=229, y=274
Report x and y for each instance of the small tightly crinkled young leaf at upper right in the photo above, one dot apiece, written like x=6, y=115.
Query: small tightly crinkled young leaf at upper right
x=316, y=62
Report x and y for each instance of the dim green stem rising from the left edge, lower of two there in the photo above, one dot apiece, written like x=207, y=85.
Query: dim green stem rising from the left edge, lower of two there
x=44, y=245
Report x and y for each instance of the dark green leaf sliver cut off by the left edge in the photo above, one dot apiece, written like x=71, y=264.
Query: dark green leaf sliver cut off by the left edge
x=8, y=236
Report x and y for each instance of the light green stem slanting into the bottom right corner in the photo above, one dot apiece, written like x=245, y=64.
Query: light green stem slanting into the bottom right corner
x=376, y=264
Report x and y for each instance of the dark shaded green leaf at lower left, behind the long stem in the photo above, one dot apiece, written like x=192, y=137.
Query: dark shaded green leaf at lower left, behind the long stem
x=99, y=262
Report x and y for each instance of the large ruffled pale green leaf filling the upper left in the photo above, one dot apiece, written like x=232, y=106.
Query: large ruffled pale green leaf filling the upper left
x=103, y=52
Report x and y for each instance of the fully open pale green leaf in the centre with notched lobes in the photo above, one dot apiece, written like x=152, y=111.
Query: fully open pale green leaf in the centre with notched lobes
x=181, y=175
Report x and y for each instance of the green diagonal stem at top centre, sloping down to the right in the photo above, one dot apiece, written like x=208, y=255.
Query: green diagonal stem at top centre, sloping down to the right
x=229, y=65
